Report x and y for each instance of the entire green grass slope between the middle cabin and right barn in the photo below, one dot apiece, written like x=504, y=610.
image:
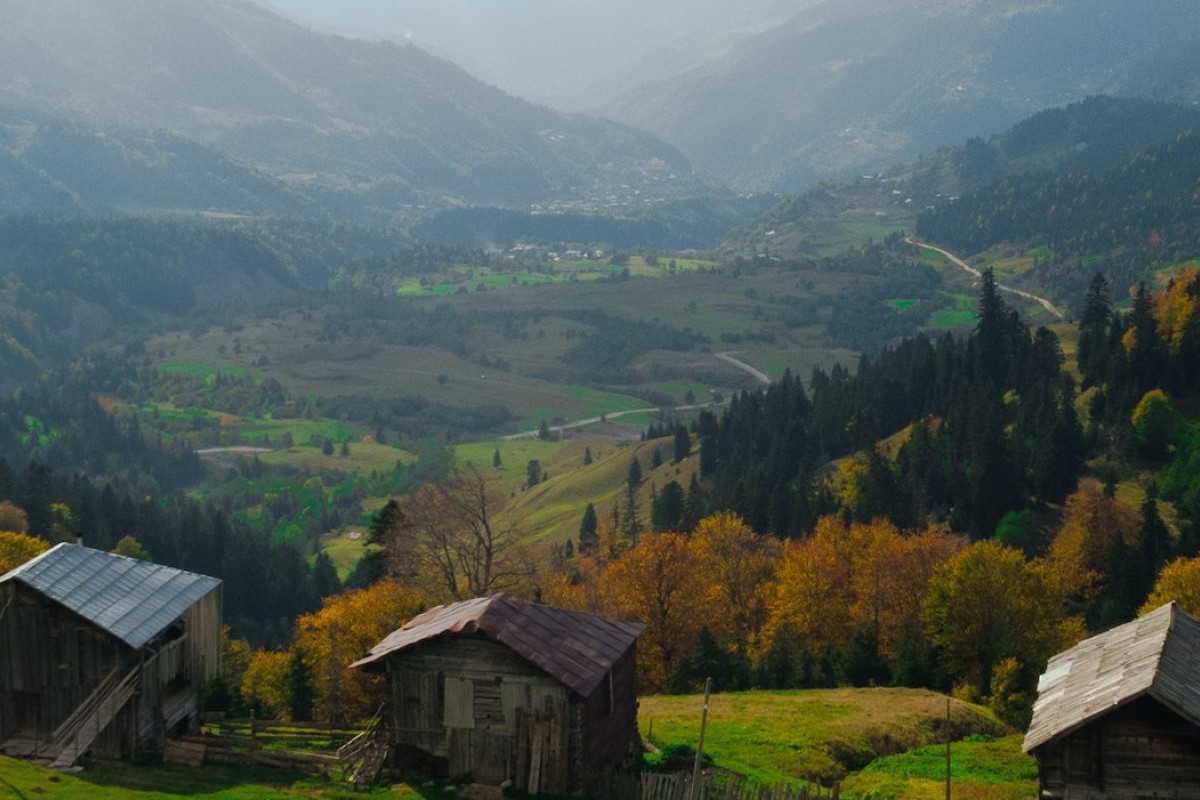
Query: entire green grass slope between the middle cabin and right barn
x=881, y=744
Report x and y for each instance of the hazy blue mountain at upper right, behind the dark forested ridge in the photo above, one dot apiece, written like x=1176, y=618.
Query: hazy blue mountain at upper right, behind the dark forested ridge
x=861, y=85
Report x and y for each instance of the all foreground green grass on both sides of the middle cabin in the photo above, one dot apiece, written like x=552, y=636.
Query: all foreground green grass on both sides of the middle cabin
x=875, y=744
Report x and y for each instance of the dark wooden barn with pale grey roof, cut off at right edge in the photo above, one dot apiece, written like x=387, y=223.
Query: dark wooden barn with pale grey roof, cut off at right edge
x=1118, y=717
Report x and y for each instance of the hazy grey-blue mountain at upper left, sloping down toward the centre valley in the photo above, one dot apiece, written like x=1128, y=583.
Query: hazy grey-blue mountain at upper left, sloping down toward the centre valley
x=333, y=118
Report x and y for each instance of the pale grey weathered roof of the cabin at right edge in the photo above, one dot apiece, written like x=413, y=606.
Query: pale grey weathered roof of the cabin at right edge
x=1157, y=655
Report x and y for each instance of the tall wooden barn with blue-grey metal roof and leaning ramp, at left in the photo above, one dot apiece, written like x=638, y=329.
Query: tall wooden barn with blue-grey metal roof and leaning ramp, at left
x=103, y=653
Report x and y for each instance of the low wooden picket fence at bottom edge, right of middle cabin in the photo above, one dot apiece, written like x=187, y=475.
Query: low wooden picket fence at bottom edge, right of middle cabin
x=677, y=786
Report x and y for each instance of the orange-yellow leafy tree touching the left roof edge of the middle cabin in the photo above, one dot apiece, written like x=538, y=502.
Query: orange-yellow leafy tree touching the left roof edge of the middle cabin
x=344, y=631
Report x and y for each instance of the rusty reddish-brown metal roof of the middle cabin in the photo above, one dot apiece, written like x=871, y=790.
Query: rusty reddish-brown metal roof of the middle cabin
x=573, y=647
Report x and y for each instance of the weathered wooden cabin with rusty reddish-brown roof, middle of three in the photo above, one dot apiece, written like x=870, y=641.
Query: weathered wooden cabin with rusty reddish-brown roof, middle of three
x=507, y=690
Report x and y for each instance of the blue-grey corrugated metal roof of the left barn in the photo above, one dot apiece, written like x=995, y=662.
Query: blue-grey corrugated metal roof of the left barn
x=133, y=600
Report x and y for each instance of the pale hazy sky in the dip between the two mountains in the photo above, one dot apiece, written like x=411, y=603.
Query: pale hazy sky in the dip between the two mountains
x=569, y=55
